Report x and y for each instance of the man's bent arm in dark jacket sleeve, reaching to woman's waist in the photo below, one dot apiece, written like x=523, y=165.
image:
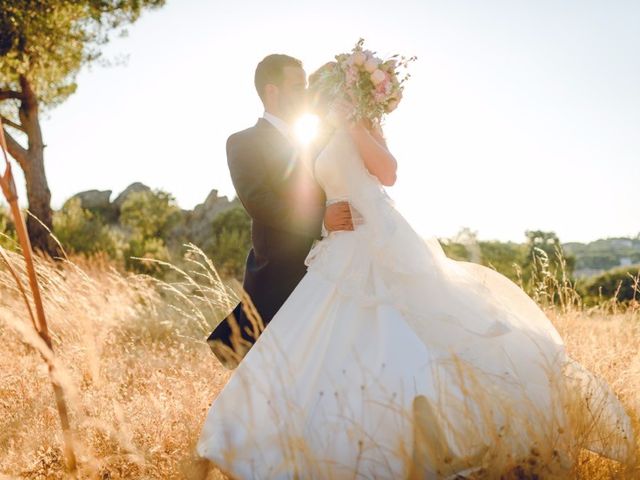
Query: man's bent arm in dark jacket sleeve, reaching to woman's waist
x=260, y=198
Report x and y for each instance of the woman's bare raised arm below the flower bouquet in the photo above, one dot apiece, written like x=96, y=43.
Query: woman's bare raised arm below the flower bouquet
x=374, y=152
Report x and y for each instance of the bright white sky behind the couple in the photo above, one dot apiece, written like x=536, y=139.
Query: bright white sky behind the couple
x=519, y=114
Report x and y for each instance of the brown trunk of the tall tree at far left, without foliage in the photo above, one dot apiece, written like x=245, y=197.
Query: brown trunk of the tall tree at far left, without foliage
x=31, y=160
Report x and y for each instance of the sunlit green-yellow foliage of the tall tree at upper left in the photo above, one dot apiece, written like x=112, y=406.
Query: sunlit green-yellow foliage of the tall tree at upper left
x=48, y=41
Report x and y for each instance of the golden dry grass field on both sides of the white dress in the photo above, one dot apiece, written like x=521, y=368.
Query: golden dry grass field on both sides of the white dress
x=139, y=377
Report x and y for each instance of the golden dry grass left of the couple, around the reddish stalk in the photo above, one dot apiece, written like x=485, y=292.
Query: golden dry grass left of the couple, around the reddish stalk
x=138, y=377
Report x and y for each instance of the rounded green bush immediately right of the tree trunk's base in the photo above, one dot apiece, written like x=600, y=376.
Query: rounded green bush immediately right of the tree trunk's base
x=81, y=231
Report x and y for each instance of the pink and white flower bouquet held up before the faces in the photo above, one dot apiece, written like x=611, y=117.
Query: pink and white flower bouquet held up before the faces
x=374, y=86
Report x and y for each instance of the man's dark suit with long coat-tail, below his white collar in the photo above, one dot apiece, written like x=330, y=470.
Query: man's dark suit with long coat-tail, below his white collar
x=277, y=188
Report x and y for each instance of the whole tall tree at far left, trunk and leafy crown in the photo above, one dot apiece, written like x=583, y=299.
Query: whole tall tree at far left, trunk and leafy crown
x=43, y=45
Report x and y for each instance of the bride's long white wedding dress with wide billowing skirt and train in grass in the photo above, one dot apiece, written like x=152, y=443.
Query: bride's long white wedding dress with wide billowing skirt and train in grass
x=390, y=360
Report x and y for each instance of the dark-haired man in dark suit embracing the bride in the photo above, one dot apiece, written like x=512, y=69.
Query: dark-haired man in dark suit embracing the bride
x=273, y=178
